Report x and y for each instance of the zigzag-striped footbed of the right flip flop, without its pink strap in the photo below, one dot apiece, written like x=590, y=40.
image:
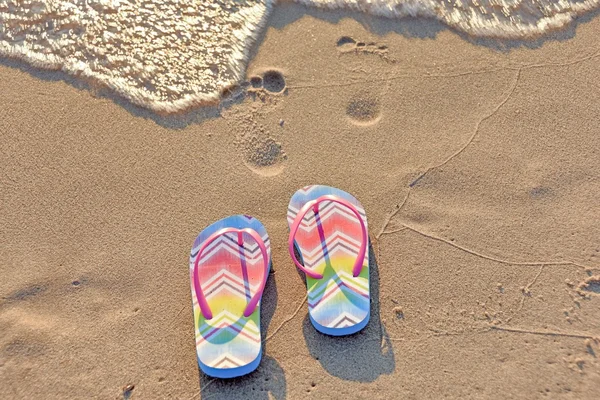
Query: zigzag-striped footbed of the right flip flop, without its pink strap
x=329, y=243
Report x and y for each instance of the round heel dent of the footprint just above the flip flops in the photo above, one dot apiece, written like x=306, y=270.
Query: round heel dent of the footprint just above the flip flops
x=264, y=156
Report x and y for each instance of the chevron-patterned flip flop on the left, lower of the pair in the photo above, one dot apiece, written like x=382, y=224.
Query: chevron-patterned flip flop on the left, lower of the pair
x=229, y=266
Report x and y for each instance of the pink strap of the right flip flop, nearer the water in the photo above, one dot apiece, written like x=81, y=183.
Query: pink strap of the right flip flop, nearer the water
x=314, y=204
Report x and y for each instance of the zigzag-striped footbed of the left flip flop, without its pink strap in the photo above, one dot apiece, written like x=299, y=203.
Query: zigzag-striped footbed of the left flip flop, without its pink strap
x=230, y=275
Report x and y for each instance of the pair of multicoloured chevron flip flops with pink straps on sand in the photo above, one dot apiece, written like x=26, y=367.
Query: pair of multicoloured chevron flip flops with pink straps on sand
x=230, y=263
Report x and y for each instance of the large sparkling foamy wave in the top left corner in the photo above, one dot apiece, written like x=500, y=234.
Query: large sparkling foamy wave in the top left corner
x=166, y=55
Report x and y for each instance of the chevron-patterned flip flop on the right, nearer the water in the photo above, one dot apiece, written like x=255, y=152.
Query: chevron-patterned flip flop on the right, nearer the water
x=328, y=227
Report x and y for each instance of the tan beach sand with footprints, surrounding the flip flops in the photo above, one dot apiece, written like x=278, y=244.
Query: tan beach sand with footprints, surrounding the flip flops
x=477, y=163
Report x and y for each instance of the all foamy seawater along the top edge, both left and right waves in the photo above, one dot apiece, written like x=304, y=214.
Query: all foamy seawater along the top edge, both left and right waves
x=169, y=55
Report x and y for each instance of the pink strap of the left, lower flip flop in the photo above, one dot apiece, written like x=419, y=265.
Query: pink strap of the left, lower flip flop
x=256, y=298
